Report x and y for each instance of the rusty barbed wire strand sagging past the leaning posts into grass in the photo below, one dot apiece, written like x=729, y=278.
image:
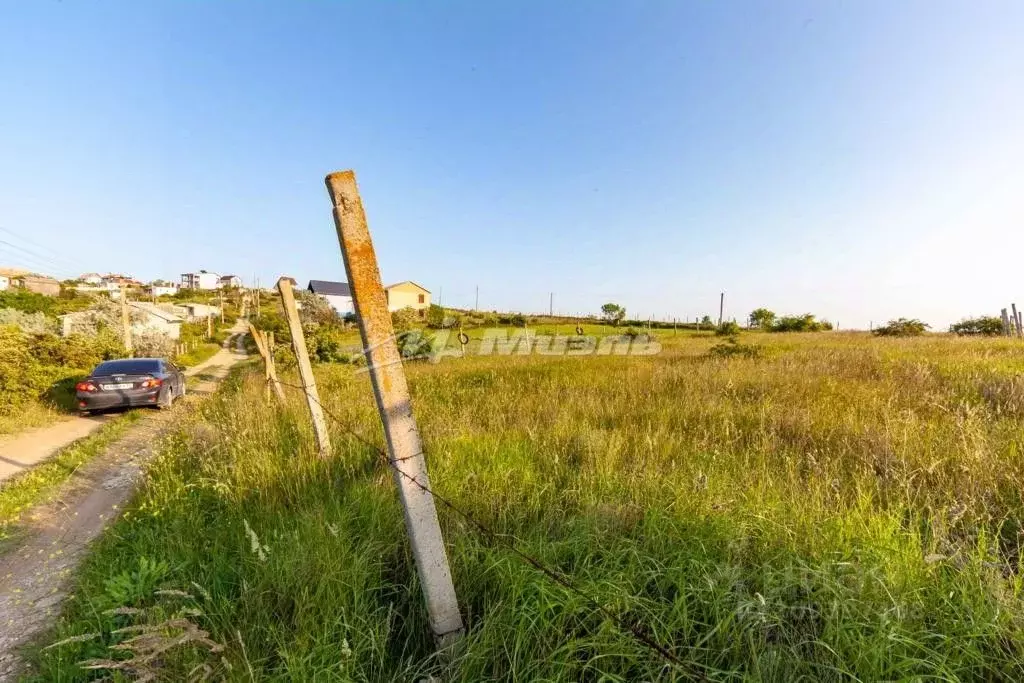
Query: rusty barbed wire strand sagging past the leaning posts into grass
x=635, y=629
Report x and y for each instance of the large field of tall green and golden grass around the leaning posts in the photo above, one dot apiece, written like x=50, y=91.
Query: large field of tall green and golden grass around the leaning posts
x=840, y=508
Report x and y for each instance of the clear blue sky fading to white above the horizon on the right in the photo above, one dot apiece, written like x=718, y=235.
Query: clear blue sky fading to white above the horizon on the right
x=861, y=160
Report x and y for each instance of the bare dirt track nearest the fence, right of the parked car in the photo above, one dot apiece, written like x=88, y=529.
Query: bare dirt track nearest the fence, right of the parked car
x=34, y=576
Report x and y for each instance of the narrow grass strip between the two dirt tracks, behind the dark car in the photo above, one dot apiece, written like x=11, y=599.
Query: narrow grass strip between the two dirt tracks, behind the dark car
x=22, y=492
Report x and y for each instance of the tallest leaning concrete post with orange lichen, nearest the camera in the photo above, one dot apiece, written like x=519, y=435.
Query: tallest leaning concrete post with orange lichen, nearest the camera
x=395, y=405
